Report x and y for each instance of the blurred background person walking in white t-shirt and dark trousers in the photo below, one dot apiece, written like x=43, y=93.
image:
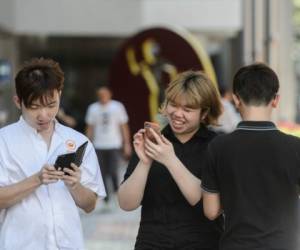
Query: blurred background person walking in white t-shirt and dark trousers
x=107, y=127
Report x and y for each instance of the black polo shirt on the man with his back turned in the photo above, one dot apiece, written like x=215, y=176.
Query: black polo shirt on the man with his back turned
x=256, y=170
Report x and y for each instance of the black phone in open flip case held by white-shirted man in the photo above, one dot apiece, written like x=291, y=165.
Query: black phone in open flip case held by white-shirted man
x=65, y=160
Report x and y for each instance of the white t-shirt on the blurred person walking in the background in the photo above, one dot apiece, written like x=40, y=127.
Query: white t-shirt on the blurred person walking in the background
x=106, y=120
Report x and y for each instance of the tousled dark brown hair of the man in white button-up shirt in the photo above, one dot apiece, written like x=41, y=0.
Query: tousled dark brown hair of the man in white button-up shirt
x=37, y=79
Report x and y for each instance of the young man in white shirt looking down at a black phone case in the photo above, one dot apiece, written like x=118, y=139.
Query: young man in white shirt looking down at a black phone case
x=38, y=203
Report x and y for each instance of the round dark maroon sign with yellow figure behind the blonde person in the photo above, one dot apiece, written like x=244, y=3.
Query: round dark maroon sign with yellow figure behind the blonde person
x=147, y=62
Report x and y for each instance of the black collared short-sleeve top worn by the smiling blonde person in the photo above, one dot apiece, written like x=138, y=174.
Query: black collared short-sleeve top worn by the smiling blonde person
x=164, y=208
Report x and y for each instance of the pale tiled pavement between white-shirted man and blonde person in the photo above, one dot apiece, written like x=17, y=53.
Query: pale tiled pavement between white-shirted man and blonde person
x=110, y=228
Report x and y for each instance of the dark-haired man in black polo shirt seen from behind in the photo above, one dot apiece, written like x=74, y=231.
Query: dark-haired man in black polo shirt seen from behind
x=252, y=174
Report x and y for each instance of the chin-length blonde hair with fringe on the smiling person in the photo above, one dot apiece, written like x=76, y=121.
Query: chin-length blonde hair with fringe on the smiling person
x=200, y=92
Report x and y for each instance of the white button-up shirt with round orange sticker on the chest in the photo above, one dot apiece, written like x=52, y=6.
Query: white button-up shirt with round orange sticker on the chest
x=48, y=218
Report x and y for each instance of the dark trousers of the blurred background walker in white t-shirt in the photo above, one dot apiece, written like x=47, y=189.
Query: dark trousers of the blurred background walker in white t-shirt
x=109, y=162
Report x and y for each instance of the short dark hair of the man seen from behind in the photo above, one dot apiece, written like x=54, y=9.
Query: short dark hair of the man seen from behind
x=256, y=84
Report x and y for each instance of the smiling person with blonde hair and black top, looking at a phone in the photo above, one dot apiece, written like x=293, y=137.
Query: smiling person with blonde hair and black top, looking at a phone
x=164, y=176
